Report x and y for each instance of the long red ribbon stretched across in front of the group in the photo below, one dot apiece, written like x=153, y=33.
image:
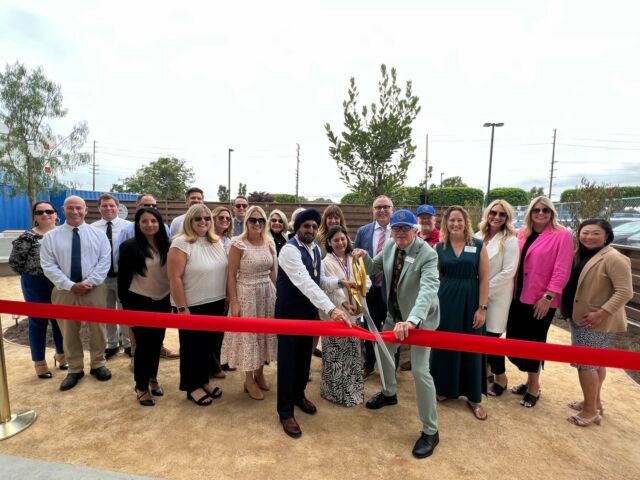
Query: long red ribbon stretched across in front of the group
x=424, y=338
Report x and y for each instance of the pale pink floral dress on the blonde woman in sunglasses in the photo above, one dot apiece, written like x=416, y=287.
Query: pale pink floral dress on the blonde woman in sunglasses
x=256, y=295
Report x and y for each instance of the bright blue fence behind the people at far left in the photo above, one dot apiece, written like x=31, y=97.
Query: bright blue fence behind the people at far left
x=15, y=211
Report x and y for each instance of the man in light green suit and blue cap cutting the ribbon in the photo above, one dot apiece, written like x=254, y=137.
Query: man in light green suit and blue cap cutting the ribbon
x=410, y=268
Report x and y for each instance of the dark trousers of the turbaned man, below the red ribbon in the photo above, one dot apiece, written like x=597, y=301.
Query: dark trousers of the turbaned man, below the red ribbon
x=294, y=361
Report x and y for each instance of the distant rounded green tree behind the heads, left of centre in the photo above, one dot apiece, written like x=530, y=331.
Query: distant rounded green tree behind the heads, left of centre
x=166, y=178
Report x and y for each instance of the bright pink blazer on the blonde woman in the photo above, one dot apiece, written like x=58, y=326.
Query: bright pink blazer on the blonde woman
x=547, y=266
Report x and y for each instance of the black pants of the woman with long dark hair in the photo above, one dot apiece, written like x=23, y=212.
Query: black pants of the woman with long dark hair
x=148, y=339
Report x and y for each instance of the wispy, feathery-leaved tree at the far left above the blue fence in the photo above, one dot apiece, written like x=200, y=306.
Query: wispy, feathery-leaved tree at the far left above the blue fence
x=32, y=156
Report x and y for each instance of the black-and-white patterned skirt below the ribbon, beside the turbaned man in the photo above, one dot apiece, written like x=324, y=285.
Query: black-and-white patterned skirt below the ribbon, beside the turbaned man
x=342, y=381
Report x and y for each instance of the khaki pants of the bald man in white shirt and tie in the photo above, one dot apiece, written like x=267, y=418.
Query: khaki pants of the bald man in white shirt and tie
x=71, y=328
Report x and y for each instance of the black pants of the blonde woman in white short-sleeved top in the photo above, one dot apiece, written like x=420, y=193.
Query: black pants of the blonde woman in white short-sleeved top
x=196, y=349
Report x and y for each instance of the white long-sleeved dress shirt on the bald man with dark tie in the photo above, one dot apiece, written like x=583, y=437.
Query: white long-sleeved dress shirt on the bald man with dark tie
x=55, y=255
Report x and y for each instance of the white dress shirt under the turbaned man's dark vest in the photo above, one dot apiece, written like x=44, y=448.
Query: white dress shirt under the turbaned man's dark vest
x=290, y=260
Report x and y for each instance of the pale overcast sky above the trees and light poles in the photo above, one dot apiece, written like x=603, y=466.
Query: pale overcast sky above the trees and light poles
x=192, y=79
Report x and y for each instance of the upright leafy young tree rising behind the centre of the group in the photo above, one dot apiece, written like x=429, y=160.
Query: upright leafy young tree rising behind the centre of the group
x=375, y=150
